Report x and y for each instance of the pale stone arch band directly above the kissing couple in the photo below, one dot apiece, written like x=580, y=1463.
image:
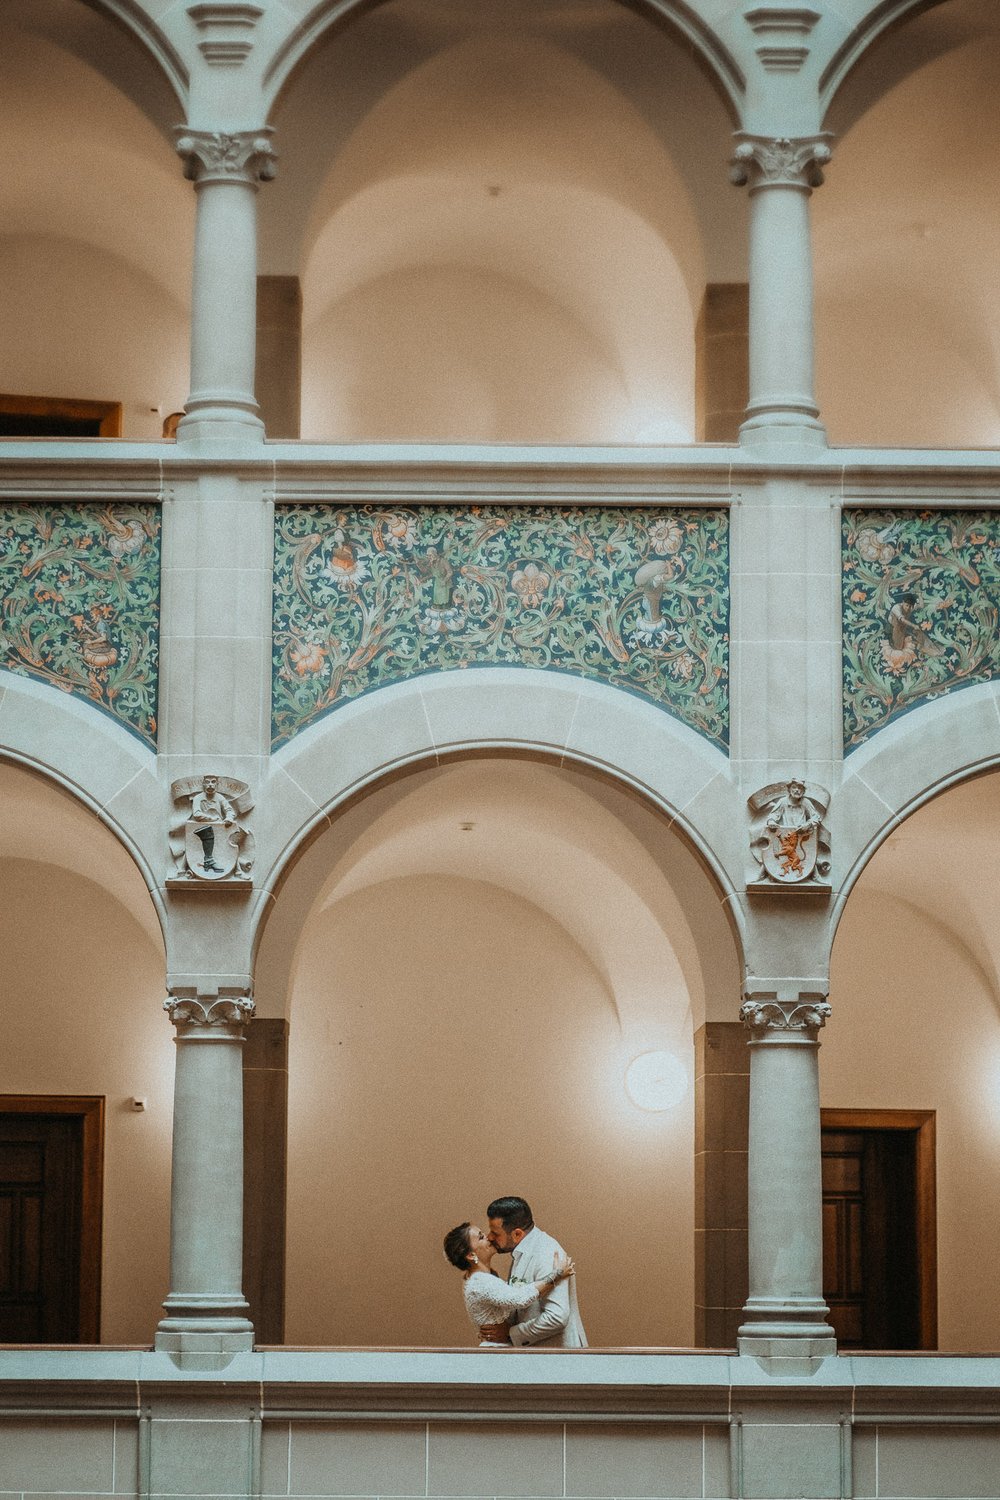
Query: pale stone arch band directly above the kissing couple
x=519, y=713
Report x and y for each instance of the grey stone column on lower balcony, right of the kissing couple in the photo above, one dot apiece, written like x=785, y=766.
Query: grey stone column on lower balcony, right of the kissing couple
x=785, y=1315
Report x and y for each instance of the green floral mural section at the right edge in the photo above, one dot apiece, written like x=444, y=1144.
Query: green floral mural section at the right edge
x=921, y=593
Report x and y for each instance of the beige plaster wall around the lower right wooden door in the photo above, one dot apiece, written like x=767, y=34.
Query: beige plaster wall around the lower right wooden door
x=917, y=1025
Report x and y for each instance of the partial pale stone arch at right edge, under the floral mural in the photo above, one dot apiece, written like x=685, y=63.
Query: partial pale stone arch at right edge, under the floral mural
x=908, y=766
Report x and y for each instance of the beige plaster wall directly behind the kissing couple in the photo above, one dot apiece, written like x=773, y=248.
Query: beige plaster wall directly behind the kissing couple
x=451, y=1043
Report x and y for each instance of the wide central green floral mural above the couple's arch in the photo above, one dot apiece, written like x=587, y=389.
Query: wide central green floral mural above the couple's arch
x=370, y=596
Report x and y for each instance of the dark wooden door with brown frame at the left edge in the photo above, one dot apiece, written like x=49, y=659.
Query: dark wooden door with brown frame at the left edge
x=50, y=1219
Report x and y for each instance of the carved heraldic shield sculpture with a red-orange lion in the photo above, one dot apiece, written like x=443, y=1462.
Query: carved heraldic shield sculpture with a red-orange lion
x=788, y=838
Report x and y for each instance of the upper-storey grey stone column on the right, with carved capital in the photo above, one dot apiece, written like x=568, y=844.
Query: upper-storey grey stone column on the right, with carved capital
x=782, y=175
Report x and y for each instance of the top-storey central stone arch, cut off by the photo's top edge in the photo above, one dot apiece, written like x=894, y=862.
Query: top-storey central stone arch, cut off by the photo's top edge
x=677, y=16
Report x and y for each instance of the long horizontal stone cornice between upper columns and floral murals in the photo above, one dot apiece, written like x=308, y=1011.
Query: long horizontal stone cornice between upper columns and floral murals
x=125, y=472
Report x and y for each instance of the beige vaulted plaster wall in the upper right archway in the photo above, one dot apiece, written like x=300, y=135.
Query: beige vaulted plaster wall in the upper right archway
x=908, y=338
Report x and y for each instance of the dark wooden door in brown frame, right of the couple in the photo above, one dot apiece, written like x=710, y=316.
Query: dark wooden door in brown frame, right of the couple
x=879, y=1235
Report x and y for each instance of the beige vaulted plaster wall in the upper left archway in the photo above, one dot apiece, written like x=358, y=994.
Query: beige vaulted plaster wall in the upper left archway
x=98, y=223
